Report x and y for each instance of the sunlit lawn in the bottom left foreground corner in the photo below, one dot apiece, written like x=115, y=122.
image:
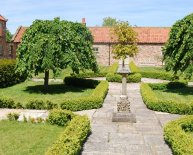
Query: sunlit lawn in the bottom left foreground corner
x=18, y=138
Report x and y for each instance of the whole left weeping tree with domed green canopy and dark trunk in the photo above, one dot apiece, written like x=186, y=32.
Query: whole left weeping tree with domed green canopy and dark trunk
x=54, y=45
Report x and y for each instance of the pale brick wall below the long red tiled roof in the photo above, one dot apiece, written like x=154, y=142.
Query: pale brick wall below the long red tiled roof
x=148, y=55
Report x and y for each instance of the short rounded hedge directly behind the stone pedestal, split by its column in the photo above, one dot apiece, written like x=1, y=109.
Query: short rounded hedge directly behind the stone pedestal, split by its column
x=113, y=77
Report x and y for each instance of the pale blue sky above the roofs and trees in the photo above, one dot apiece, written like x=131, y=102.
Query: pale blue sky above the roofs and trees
x=138, y=12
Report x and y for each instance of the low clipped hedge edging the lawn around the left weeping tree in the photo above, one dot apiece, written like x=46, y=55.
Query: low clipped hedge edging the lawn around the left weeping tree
x=93, y=101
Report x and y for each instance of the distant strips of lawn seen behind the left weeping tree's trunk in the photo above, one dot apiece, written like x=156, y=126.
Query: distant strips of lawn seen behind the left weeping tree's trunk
x=68, y=71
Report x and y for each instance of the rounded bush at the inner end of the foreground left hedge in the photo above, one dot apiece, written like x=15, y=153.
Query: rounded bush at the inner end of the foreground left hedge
x=60, y=117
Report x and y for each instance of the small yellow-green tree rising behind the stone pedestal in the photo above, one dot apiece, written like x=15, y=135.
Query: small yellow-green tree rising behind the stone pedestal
x=126, y=40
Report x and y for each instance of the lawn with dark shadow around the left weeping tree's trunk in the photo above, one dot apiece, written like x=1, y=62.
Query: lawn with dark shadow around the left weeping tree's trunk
x=29, y=90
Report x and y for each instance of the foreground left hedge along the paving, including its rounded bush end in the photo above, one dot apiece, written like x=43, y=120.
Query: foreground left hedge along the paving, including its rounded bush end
x=71, y=140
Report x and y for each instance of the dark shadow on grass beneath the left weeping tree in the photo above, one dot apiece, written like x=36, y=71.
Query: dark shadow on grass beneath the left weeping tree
x=53, y=89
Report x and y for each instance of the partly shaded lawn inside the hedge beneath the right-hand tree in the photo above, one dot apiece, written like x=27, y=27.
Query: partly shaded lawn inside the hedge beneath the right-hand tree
x=181, y=95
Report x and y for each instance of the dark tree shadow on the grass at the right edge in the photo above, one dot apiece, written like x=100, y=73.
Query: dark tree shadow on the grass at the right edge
x=181, y=91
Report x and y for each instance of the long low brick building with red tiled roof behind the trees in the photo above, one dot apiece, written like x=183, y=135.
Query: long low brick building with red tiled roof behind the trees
x=150, y=42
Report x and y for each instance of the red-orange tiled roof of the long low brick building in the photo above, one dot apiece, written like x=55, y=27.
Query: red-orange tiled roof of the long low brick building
x=102, y=34
